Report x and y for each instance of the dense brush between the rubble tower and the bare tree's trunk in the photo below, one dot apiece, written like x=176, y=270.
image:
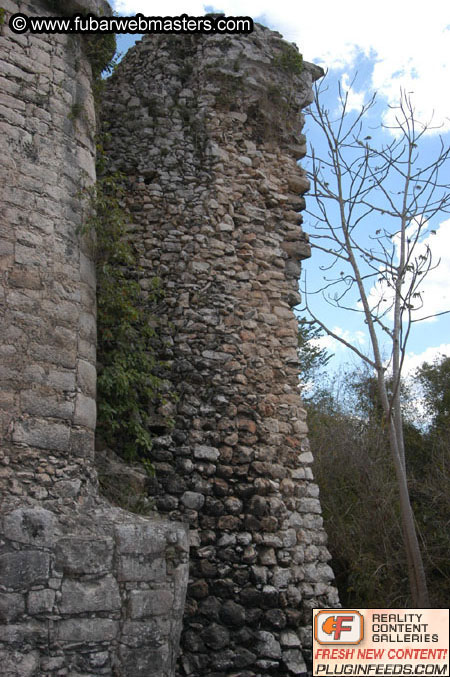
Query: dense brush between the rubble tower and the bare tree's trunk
x=354, y=474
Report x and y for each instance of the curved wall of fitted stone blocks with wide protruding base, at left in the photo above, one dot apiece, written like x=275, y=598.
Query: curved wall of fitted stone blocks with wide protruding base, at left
x=85, y=589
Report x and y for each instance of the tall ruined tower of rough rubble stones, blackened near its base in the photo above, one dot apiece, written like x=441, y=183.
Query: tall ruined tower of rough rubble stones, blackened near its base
x=207, y=130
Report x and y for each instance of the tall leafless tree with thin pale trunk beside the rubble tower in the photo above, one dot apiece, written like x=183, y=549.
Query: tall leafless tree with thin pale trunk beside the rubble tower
x=372, y=211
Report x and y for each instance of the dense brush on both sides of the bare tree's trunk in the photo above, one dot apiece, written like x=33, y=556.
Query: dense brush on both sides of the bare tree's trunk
x=359, y=496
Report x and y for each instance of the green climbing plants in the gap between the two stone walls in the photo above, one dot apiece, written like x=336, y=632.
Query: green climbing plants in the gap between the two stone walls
x=130, y=379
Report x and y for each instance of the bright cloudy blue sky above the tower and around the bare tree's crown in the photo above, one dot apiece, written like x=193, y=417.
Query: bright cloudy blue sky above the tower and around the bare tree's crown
x=393, y=47
